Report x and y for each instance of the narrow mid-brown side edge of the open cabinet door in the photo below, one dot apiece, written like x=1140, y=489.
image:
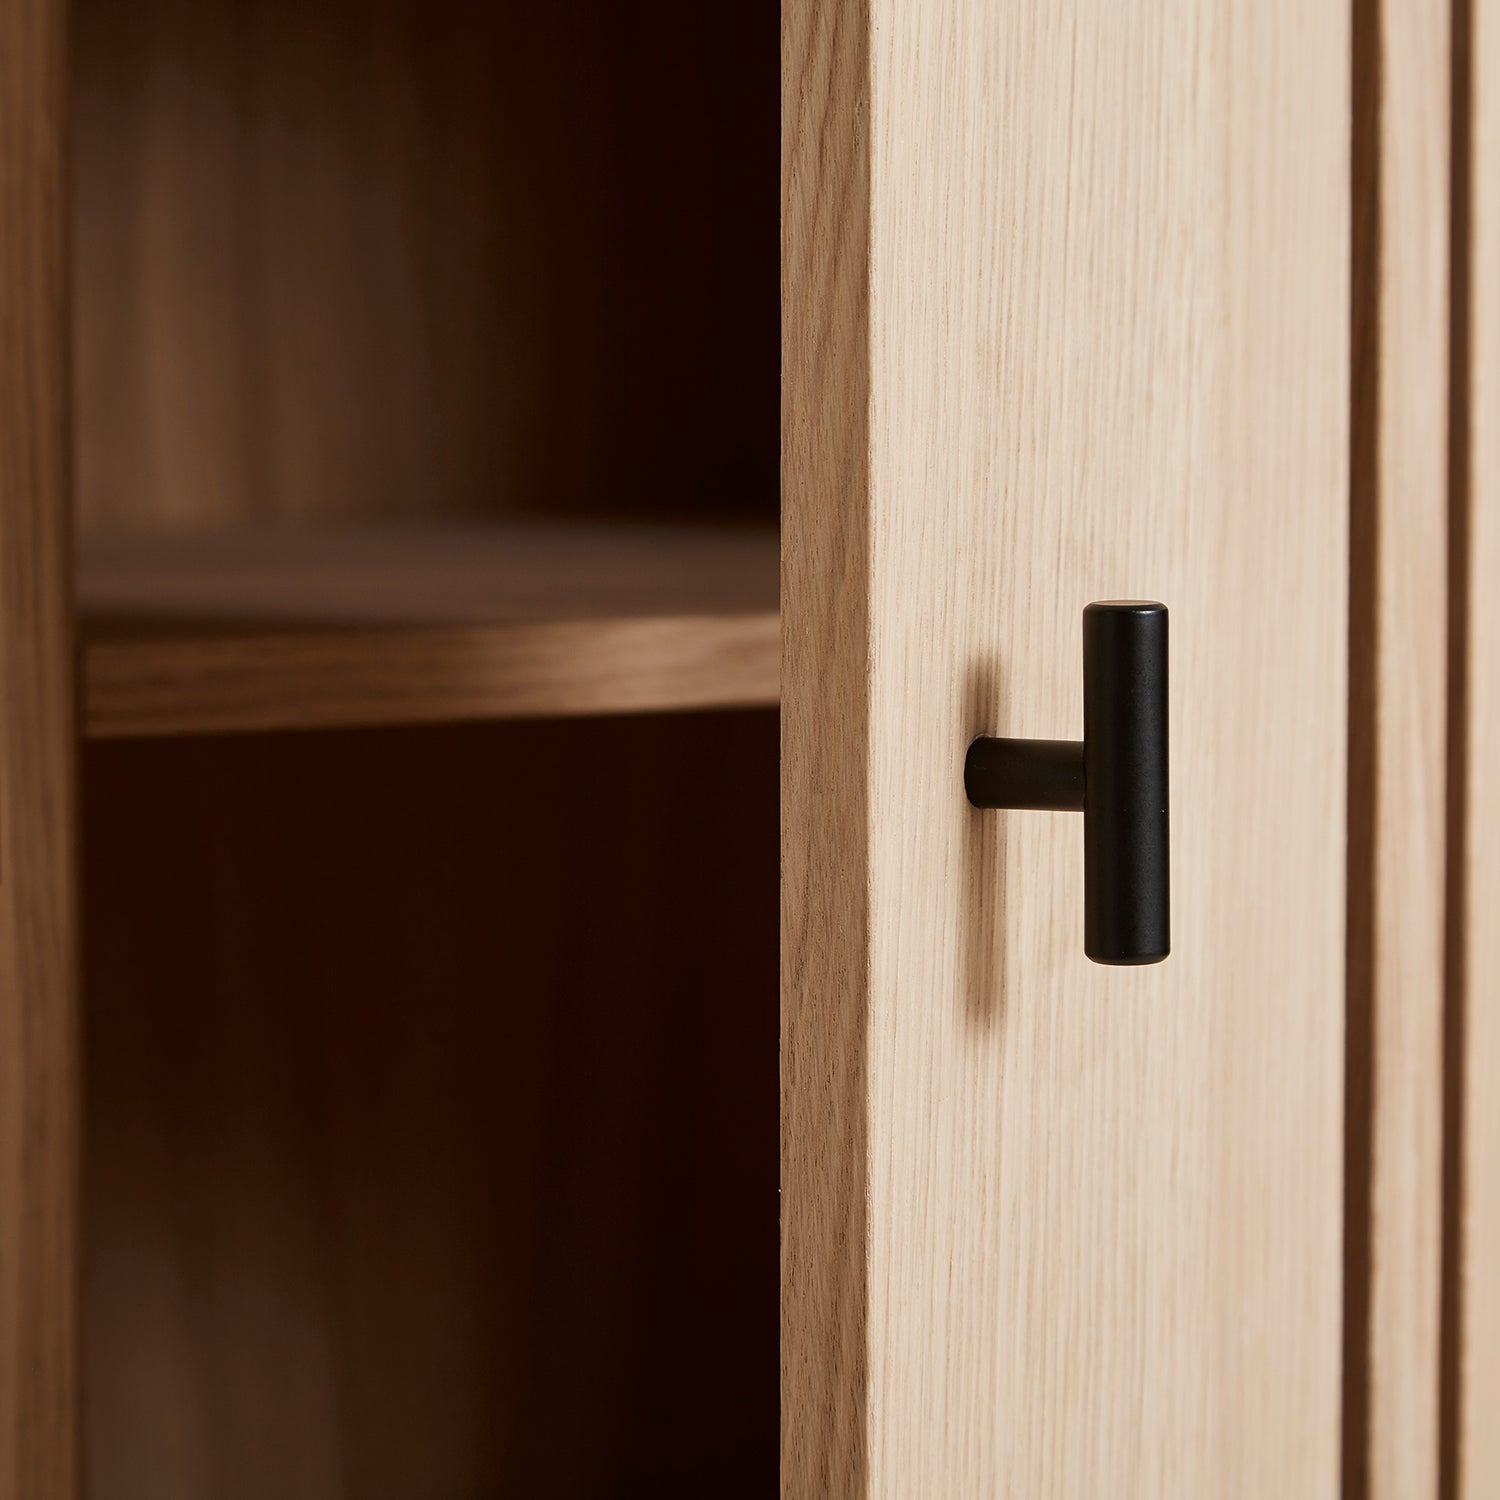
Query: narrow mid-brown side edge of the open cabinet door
x=824, y=742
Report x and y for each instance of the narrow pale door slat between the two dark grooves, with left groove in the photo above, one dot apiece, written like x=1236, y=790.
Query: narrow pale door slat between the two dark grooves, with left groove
x=1399, y=748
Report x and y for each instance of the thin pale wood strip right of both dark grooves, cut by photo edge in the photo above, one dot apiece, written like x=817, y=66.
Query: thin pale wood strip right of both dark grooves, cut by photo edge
x=1480, y=1214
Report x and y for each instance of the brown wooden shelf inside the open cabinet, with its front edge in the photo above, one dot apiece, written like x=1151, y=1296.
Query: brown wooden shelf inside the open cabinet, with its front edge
x=289, y=629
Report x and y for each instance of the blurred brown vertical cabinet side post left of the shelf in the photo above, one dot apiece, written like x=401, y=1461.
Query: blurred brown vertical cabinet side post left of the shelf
x=38, y=911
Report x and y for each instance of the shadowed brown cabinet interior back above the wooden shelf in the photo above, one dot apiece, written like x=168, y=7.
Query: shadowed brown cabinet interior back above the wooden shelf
x=397, y=259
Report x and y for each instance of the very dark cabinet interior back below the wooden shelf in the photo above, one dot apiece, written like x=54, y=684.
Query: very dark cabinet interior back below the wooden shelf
x=431, y=1112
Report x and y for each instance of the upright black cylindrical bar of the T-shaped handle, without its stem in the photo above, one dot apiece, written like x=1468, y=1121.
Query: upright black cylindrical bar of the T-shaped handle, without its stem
x=1126, y=866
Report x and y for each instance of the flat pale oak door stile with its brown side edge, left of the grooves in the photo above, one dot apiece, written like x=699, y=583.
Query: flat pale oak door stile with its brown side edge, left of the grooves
x=1066, y=317
